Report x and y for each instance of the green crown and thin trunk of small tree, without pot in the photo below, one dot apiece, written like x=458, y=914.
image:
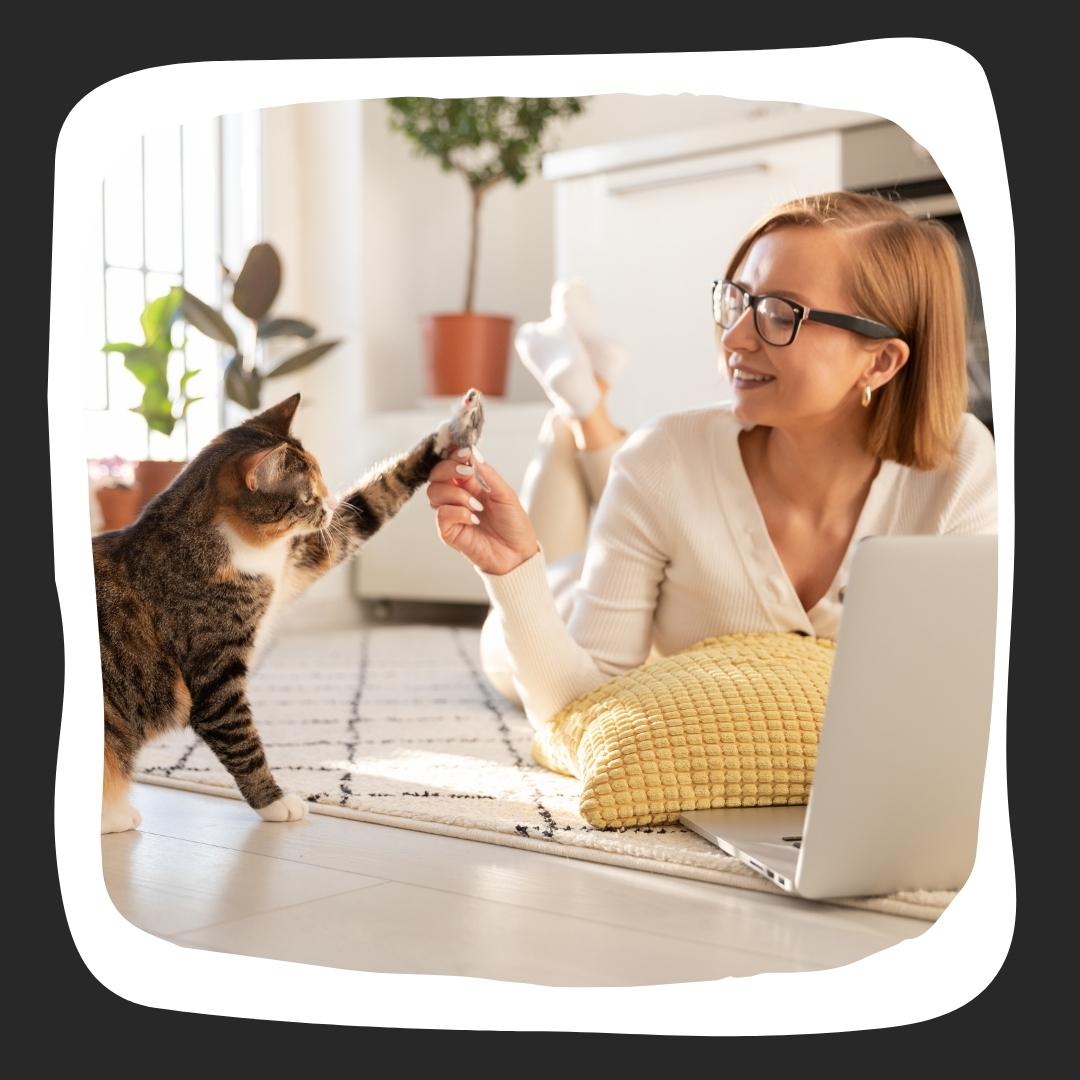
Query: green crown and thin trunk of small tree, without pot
x=487, y=140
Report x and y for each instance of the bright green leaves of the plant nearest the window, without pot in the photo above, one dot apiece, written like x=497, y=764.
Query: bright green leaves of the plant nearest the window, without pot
x=161, y=408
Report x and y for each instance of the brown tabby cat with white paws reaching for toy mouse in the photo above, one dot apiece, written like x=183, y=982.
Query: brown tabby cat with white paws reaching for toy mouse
x=186, y=591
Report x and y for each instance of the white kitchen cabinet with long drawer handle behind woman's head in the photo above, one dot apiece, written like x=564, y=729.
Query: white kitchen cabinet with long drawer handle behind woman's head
x=650, y=239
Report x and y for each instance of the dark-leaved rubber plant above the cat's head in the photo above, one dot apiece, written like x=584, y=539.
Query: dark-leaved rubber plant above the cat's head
x=254, y=291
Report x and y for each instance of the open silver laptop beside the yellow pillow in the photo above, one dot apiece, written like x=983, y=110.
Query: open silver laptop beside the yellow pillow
x=898, y=782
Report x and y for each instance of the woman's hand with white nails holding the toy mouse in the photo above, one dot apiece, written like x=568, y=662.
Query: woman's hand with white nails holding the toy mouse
x=505, y=537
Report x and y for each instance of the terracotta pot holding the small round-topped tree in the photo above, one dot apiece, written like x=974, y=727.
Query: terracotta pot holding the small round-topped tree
x=467, y=350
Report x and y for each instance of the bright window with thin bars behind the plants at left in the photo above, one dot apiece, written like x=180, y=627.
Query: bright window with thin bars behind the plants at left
x=175, y=205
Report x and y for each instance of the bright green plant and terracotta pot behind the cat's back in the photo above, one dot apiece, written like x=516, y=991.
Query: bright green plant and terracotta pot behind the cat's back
x=161, y=407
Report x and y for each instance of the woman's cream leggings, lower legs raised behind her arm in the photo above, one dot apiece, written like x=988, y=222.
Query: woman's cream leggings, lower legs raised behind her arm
x=561, y=490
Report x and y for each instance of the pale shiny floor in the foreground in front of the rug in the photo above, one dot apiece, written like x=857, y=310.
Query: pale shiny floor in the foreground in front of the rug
x=206, y=873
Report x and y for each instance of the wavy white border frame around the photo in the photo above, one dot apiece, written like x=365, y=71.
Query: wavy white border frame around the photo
x=949, y=110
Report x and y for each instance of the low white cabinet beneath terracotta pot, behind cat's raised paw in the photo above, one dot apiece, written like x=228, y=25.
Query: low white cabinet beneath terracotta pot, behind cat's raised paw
x=407, y=560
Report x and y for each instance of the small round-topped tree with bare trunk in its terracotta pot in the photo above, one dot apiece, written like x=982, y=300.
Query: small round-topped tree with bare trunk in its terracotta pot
x=488, y=141
